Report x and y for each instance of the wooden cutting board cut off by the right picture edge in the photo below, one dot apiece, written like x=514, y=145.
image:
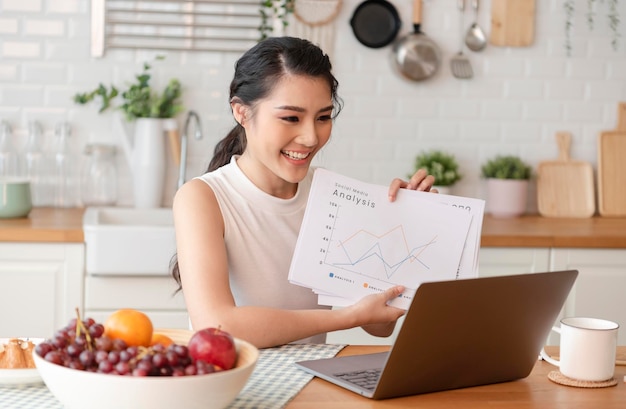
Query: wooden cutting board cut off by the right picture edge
x=612, y=168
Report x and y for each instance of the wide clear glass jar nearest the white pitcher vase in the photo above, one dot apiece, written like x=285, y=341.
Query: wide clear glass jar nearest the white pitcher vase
x=99, y=176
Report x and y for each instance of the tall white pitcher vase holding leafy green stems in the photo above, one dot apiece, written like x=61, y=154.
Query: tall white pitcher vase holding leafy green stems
x=146, y=157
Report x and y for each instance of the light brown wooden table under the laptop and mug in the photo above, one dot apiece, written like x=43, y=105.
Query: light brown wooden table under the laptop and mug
x=535, y=391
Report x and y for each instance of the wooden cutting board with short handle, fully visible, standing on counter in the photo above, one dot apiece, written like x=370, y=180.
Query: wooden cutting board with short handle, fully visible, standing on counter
x=565, y=187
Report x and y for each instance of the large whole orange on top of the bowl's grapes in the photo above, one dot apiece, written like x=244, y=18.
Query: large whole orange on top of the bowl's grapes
x=132, y=326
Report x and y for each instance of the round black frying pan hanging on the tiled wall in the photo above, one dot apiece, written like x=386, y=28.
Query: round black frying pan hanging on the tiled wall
x=375, y=23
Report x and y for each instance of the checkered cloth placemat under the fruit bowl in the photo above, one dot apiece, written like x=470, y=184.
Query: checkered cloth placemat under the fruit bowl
x=274, y=382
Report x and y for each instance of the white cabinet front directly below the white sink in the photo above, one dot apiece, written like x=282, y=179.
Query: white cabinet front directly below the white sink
x=154, y=295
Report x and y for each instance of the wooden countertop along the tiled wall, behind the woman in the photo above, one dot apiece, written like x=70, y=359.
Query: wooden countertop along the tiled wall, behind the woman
x=65, y=225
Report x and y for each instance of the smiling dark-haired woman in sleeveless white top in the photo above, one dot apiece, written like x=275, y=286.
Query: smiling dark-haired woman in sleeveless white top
x=237, y=225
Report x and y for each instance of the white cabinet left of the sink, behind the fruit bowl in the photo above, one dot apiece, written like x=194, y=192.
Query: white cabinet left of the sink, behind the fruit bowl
x=42, y=285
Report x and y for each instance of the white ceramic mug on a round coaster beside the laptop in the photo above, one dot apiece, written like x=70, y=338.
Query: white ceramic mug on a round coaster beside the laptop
x=587, y=348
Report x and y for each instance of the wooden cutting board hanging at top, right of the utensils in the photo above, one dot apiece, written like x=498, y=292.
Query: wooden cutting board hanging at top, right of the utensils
x=512, y=23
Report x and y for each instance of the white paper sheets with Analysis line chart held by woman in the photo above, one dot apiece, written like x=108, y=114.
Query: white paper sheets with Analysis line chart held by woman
x=354, y=242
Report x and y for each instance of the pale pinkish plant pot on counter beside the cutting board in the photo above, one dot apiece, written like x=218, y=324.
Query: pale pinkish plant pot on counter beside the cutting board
x=506, y=197
